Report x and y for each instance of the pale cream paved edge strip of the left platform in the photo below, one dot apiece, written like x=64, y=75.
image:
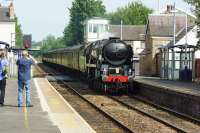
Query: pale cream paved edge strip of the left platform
x=59, y=110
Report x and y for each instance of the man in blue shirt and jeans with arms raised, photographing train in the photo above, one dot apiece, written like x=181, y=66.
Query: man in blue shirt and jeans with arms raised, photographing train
x=24, y=77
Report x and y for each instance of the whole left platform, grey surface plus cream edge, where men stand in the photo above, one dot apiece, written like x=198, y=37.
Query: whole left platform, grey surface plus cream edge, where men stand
x=50, y=113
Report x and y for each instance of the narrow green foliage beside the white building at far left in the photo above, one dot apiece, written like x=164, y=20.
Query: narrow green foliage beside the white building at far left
x=18, y=35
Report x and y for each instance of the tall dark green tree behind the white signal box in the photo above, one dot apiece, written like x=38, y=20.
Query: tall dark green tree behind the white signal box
x=79, y=12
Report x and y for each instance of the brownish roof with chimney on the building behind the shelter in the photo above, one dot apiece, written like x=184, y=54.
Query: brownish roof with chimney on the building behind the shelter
x=162, y=24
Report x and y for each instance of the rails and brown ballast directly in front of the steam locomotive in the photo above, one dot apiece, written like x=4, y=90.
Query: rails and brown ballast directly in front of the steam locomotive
x=122, y=110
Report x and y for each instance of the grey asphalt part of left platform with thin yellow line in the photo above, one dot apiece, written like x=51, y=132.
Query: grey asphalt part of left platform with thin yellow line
x=24, y=120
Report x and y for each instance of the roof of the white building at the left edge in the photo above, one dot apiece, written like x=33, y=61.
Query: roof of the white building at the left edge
x=5, y=15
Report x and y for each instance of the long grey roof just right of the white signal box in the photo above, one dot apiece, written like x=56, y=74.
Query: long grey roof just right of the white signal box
x=129, y=32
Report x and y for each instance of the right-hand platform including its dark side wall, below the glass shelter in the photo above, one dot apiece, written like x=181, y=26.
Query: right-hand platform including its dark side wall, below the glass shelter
x=181, y=97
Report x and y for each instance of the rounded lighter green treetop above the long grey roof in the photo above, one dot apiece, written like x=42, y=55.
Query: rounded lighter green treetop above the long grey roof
x=135, y=13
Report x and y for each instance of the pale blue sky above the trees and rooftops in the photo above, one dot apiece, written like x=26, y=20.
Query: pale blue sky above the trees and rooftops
x=43, y=17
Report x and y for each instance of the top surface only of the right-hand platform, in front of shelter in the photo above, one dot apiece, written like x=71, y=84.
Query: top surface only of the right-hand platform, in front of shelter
x=191, y=88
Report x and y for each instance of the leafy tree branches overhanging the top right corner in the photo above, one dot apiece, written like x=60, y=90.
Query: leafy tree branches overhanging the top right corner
x=196, y=4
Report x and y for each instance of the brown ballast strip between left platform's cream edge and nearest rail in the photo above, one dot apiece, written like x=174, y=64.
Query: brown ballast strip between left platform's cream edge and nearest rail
x=102, y=122
